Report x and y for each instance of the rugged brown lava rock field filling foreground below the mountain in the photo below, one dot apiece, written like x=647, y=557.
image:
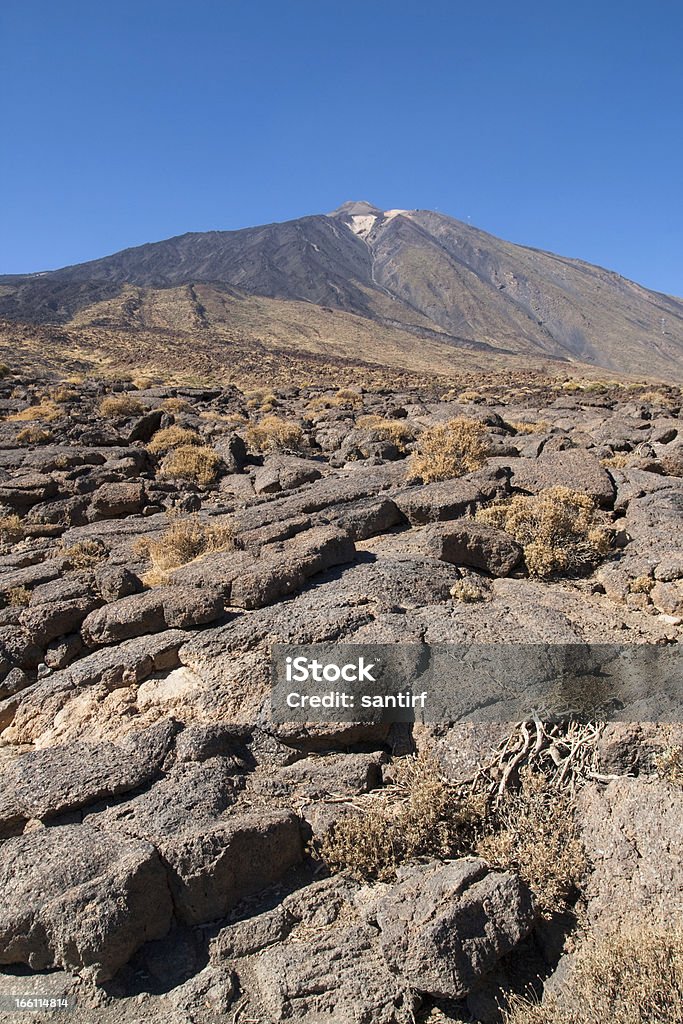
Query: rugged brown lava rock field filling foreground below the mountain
x=157, y=828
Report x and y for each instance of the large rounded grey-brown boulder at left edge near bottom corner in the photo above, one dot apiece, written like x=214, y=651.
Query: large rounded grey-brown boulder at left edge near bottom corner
x=76, y=899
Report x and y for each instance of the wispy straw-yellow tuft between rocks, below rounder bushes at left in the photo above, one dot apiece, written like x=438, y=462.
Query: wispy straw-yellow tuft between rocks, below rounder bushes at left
x=183, y=542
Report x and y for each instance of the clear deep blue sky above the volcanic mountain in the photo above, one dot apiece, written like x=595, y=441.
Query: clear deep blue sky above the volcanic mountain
x=557, y=124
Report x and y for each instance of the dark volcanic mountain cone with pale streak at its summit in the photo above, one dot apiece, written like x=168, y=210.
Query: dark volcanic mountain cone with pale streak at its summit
x=415, y=271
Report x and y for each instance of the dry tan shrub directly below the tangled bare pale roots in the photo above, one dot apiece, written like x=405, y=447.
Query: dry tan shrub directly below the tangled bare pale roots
x=532, y=831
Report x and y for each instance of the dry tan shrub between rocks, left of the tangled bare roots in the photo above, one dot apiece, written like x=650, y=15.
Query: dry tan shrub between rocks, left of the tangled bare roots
x=422, y=818
